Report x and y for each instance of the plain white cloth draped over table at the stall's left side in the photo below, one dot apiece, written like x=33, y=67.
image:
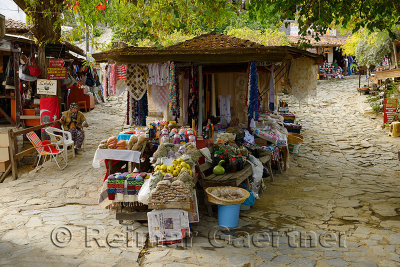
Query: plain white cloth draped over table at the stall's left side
x=115, y=154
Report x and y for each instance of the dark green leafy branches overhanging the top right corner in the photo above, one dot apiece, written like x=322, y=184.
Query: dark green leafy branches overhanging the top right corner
x=322, y=15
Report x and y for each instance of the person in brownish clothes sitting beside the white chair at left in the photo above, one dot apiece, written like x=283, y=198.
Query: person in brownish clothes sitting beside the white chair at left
x=73, y=121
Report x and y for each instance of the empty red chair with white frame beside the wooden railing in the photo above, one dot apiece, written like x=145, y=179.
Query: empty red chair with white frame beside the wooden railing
x=46, y=149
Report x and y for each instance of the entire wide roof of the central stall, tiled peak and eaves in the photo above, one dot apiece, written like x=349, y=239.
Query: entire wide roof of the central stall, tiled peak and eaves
x=206, y=48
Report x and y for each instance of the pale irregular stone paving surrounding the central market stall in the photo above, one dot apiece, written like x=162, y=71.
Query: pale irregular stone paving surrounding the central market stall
x=337, y=205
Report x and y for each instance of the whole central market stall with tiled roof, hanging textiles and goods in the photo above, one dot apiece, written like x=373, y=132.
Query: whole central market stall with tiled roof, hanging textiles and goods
x=203, y=121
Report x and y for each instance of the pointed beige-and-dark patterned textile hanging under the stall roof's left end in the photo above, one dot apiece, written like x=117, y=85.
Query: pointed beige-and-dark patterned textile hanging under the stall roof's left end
x=136, y=80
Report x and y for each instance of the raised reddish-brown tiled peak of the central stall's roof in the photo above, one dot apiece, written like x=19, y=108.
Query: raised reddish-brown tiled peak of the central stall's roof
x=214, y=40
